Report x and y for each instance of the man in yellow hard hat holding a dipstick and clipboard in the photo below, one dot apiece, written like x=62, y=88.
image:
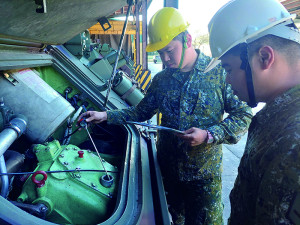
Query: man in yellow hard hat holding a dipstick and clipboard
x=189, y=100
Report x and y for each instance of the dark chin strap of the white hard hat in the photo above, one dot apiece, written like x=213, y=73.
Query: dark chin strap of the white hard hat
x=246, y=67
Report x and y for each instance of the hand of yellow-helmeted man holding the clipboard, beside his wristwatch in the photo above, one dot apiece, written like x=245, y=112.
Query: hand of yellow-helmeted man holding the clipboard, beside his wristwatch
x=194, y=136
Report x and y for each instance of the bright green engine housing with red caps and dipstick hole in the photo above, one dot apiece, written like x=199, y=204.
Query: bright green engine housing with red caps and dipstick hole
x=83, y=194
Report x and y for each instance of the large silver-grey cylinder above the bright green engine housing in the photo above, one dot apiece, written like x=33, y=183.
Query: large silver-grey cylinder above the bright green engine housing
x=26, y=93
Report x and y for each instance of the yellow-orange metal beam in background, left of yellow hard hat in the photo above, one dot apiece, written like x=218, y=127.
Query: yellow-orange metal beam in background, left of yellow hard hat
x=117, y=27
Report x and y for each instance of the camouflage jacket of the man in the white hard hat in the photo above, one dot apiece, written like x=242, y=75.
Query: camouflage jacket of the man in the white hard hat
x=267, y=189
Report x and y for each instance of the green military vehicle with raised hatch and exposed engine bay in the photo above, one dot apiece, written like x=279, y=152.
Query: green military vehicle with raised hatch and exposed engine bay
x=49, y=74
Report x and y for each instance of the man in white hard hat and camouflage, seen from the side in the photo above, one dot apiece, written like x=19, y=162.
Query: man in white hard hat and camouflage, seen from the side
x=267, y=48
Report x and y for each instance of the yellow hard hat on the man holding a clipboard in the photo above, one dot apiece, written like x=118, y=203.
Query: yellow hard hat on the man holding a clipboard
x=164, y=25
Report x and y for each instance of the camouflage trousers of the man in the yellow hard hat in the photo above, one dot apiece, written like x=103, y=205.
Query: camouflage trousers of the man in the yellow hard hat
x=195, y=202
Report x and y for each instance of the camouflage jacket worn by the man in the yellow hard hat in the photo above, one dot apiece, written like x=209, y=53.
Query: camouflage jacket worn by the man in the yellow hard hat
x=195, y=100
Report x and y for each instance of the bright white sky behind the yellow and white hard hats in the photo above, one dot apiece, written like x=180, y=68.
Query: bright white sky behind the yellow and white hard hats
x=196, y=12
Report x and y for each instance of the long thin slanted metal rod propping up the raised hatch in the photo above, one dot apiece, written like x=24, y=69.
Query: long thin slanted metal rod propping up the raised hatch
x=118, y=53
